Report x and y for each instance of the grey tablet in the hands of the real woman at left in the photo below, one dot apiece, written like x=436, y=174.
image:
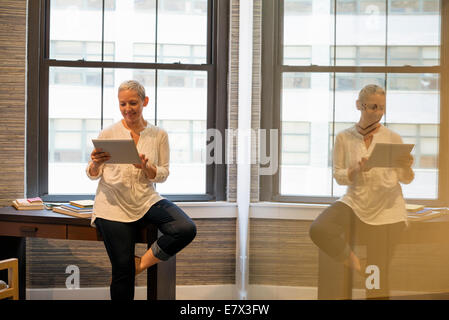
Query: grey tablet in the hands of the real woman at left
x=121, y=150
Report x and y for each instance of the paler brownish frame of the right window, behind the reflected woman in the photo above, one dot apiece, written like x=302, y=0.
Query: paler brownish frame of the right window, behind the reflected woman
x=272, y=70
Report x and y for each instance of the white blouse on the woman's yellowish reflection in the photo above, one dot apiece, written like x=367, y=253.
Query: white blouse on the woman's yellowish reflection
x=375, y=196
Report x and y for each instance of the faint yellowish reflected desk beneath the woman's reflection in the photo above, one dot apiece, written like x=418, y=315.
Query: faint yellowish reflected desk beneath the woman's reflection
x=335, y=279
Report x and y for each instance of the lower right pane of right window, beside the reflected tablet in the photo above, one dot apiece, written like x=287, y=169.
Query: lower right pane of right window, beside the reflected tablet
x=414, y=100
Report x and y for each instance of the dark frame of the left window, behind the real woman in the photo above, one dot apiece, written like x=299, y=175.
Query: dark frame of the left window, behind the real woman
x=37, y=97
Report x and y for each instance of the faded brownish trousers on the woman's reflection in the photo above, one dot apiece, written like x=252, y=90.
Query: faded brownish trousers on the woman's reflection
x=336, y=230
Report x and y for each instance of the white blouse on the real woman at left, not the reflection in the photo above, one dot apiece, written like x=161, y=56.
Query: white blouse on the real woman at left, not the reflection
x=124, y=193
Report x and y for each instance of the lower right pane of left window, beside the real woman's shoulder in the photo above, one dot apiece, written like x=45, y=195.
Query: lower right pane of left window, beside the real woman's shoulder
x=182, y=110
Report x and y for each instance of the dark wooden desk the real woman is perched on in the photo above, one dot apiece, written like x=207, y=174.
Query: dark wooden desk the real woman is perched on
x=16, y=225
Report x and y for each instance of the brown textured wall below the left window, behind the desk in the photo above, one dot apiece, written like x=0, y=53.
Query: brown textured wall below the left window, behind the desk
x=209, y=259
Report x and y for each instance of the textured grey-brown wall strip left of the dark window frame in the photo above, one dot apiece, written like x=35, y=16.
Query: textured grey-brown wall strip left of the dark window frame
x=12, y=99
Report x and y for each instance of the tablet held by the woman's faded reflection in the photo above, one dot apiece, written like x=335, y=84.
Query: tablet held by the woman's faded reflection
x=386, y=155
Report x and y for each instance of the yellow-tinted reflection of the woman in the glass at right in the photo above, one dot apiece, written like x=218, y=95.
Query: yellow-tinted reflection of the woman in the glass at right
x=373, y=200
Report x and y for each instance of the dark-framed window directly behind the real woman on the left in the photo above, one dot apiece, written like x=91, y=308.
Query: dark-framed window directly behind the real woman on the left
x=87, y=50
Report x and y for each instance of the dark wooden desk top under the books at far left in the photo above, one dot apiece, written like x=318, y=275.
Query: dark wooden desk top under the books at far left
x=40, y=216
